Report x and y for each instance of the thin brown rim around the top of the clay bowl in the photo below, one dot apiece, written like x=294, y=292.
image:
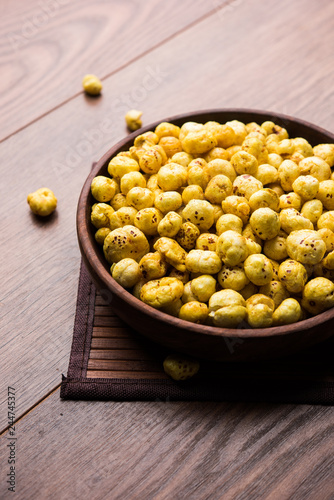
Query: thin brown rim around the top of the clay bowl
x=88, y=245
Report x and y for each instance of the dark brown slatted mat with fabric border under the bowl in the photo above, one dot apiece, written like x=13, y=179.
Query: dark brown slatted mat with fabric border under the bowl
x=110, y=361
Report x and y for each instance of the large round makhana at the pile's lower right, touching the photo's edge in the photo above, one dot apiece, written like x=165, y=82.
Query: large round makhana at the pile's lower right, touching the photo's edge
x=318, y=295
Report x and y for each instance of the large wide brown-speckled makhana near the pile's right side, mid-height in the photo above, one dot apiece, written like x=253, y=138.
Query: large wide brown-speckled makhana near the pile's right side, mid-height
x=305, y=246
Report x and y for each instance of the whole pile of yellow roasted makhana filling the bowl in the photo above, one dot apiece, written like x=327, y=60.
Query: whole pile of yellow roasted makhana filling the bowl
x=222, y=224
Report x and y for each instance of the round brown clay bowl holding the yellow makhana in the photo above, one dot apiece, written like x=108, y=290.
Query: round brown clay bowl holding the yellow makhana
x=221, y=344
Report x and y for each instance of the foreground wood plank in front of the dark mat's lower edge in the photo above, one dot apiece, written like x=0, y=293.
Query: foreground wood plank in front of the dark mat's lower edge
x=164, y=450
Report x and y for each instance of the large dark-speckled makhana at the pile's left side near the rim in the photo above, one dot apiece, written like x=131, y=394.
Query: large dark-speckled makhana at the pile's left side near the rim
x=125, y=242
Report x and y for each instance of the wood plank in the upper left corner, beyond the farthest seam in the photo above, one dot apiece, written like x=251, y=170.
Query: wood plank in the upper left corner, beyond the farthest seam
x=47, y=47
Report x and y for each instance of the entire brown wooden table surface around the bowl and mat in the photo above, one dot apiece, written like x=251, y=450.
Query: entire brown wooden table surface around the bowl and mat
x=164, y=58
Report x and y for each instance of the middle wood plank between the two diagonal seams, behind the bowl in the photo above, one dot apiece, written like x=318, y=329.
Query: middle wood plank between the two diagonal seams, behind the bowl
x=242, y=63
